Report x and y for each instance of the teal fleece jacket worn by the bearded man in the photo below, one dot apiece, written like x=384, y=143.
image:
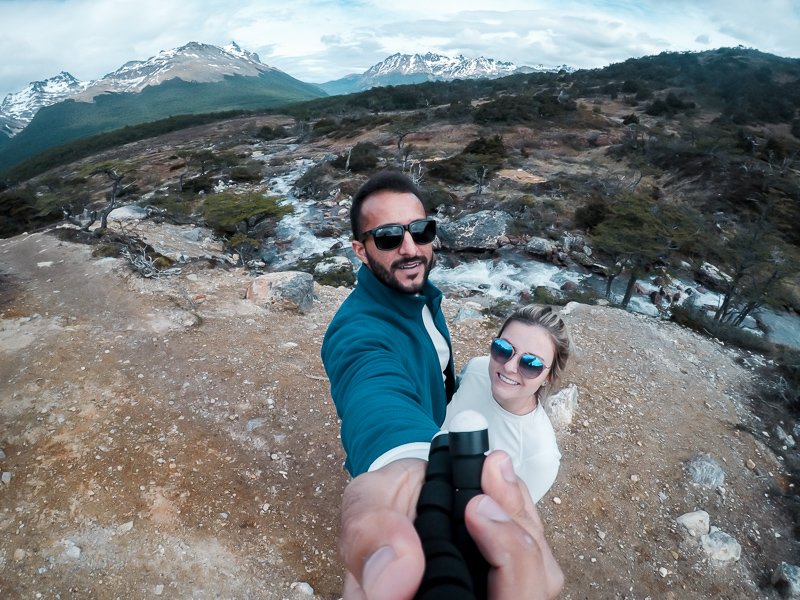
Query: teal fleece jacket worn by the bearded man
x=385, y=376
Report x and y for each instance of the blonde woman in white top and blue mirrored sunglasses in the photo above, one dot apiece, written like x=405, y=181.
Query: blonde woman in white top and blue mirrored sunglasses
x=506, y=387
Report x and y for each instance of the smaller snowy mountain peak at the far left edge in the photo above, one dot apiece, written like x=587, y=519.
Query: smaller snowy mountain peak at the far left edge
x=18, y=109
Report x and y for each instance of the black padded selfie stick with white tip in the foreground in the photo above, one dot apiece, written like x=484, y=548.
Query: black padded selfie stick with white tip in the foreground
x=454, y=567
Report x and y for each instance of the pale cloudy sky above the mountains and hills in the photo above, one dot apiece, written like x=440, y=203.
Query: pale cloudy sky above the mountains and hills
x=321, y=40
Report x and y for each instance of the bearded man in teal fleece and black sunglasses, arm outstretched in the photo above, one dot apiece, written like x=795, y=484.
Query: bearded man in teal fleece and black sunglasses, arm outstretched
x=388, y=356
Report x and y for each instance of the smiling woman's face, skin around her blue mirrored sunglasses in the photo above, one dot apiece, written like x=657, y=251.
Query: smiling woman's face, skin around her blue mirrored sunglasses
x=510, y=389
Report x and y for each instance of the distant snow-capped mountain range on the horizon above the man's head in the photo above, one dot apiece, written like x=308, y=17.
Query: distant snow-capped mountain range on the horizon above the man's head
x=407, y=68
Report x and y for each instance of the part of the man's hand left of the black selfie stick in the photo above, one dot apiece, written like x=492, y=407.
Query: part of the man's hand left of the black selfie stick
x=378, y=542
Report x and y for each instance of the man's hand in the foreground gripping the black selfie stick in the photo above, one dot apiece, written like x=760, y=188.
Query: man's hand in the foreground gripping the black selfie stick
x=383, y=555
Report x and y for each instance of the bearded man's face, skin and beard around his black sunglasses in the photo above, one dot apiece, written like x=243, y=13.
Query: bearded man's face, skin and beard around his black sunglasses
x=406, y=268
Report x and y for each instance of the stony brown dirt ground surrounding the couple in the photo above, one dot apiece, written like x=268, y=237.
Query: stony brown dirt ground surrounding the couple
x=170, y=438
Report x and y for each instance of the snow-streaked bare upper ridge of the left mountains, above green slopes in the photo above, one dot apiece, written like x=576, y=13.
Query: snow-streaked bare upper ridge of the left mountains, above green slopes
x=192, y=62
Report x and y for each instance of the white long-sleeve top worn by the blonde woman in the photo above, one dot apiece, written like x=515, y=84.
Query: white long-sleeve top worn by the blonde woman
x=528, y=439
